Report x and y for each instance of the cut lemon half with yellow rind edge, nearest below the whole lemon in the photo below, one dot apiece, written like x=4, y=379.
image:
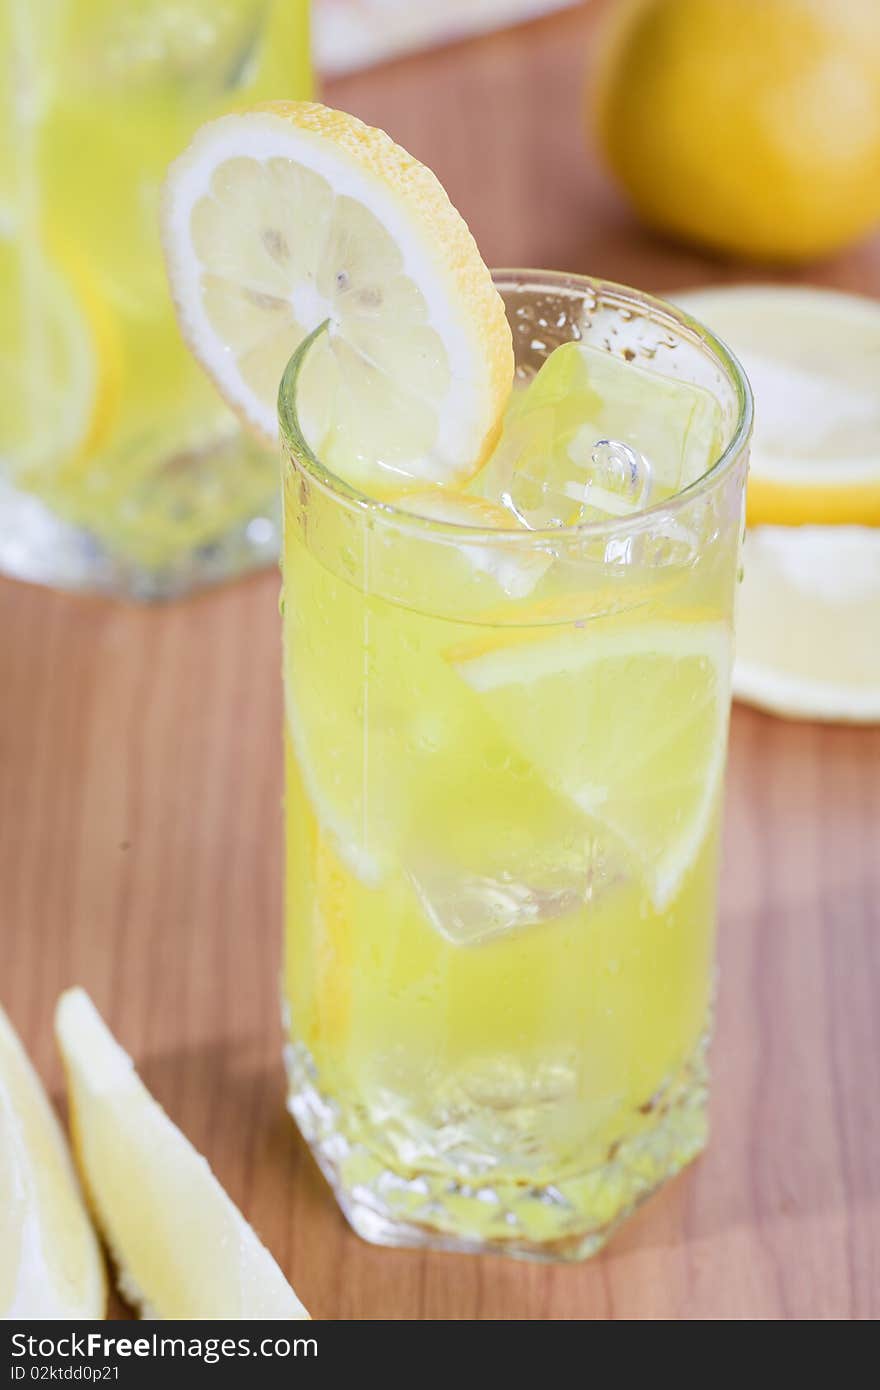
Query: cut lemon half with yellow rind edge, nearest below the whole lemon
x=814, y=361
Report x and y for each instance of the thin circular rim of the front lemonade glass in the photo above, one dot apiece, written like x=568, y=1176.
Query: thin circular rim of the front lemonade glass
x=398, y=516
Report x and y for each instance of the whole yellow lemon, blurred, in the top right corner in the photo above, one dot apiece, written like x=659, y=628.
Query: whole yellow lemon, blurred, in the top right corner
x=751, y=127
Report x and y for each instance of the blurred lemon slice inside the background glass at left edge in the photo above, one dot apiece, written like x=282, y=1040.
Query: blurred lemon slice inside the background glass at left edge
x=59, y=363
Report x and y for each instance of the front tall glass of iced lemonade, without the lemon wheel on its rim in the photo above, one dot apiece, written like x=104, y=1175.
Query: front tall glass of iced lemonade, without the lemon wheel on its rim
x=505, y=758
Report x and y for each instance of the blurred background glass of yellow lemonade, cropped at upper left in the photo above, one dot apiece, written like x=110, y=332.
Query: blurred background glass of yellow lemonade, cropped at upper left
x=120, y=468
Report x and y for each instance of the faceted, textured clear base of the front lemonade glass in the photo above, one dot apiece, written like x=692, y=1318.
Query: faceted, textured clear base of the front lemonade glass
x=565, y=1221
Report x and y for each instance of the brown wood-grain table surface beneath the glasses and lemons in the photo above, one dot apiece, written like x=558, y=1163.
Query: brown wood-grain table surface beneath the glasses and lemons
x=141, y=846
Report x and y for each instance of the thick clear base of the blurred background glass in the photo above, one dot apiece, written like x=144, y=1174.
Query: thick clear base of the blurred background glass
x=41, y=548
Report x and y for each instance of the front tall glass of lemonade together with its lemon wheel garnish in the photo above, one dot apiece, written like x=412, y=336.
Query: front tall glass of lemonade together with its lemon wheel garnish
x=512, y=521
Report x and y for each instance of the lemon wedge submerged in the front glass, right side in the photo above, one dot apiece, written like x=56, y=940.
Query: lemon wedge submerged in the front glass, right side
x=630, y=725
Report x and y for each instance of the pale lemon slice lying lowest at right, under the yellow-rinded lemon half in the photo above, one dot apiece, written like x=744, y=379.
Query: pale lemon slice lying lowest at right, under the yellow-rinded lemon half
x=808, y=628
